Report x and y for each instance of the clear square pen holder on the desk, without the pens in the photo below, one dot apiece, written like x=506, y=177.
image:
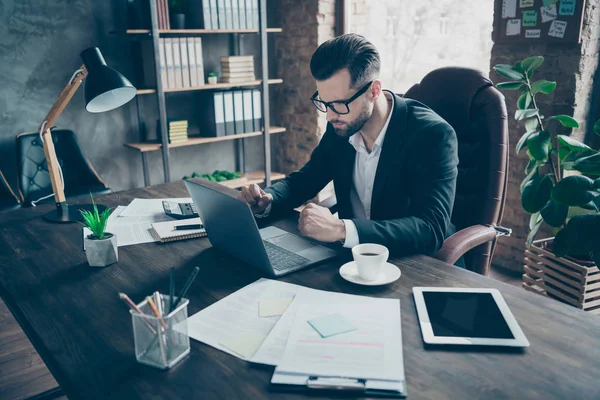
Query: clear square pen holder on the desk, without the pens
x=161, y=342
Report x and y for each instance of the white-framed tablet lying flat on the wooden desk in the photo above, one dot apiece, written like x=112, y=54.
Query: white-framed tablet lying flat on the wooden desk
x=466, y=317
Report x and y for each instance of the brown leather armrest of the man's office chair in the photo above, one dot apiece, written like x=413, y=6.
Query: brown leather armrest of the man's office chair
x=467, y=239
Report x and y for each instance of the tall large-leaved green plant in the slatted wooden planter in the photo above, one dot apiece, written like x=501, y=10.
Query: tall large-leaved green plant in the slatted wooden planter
x=569, y=204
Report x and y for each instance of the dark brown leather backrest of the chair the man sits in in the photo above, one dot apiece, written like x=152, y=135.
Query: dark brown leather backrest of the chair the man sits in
x=469, y=102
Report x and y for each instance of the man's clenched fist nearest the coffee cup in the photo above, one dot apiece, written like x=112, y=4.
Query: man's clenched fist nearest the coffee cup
x=318, y=223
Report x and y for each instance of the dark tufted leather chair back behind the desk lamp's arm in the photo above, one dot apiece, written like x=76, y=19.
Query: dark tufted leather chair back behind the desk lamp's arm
x=34, y=181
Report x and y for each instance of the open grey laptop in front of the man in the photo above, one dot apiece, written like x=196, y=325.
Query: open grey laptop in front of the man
x=231, y=227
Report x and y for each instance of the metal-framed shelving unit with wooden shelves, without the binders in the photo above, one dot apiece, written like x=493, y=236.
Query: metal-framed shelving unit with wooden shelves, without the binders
x=163, y=144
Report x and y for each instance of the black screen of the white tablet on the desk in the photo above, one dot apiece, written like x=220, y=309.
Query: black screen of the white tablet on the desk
x=473, y=315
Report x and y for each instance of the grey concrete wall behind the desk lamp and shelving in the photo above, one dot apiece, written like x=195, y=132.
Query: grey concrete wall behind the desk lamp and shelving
x=40, y=42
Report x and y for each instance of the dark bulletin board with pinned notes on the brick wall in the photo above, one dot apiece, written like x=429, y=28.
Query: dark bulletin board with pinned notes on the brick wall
x=539, y=21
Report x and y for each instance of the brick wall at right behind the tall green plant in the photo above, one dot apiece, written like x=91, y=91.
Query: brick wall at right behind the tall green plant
x=574, y=68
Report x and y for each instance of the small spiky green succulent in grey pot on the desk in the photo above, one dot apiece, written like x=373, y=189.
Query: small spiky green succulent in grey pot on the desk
x=100, y=246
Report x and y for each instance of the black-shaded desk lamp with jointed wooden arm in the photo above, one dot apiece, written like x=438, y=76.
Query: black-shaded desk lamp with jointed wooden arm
x=105, y=90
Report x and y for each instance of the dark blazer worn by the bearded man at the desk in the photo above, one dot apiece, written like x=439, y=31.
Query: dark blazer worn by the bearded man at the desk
x=414, y=187
